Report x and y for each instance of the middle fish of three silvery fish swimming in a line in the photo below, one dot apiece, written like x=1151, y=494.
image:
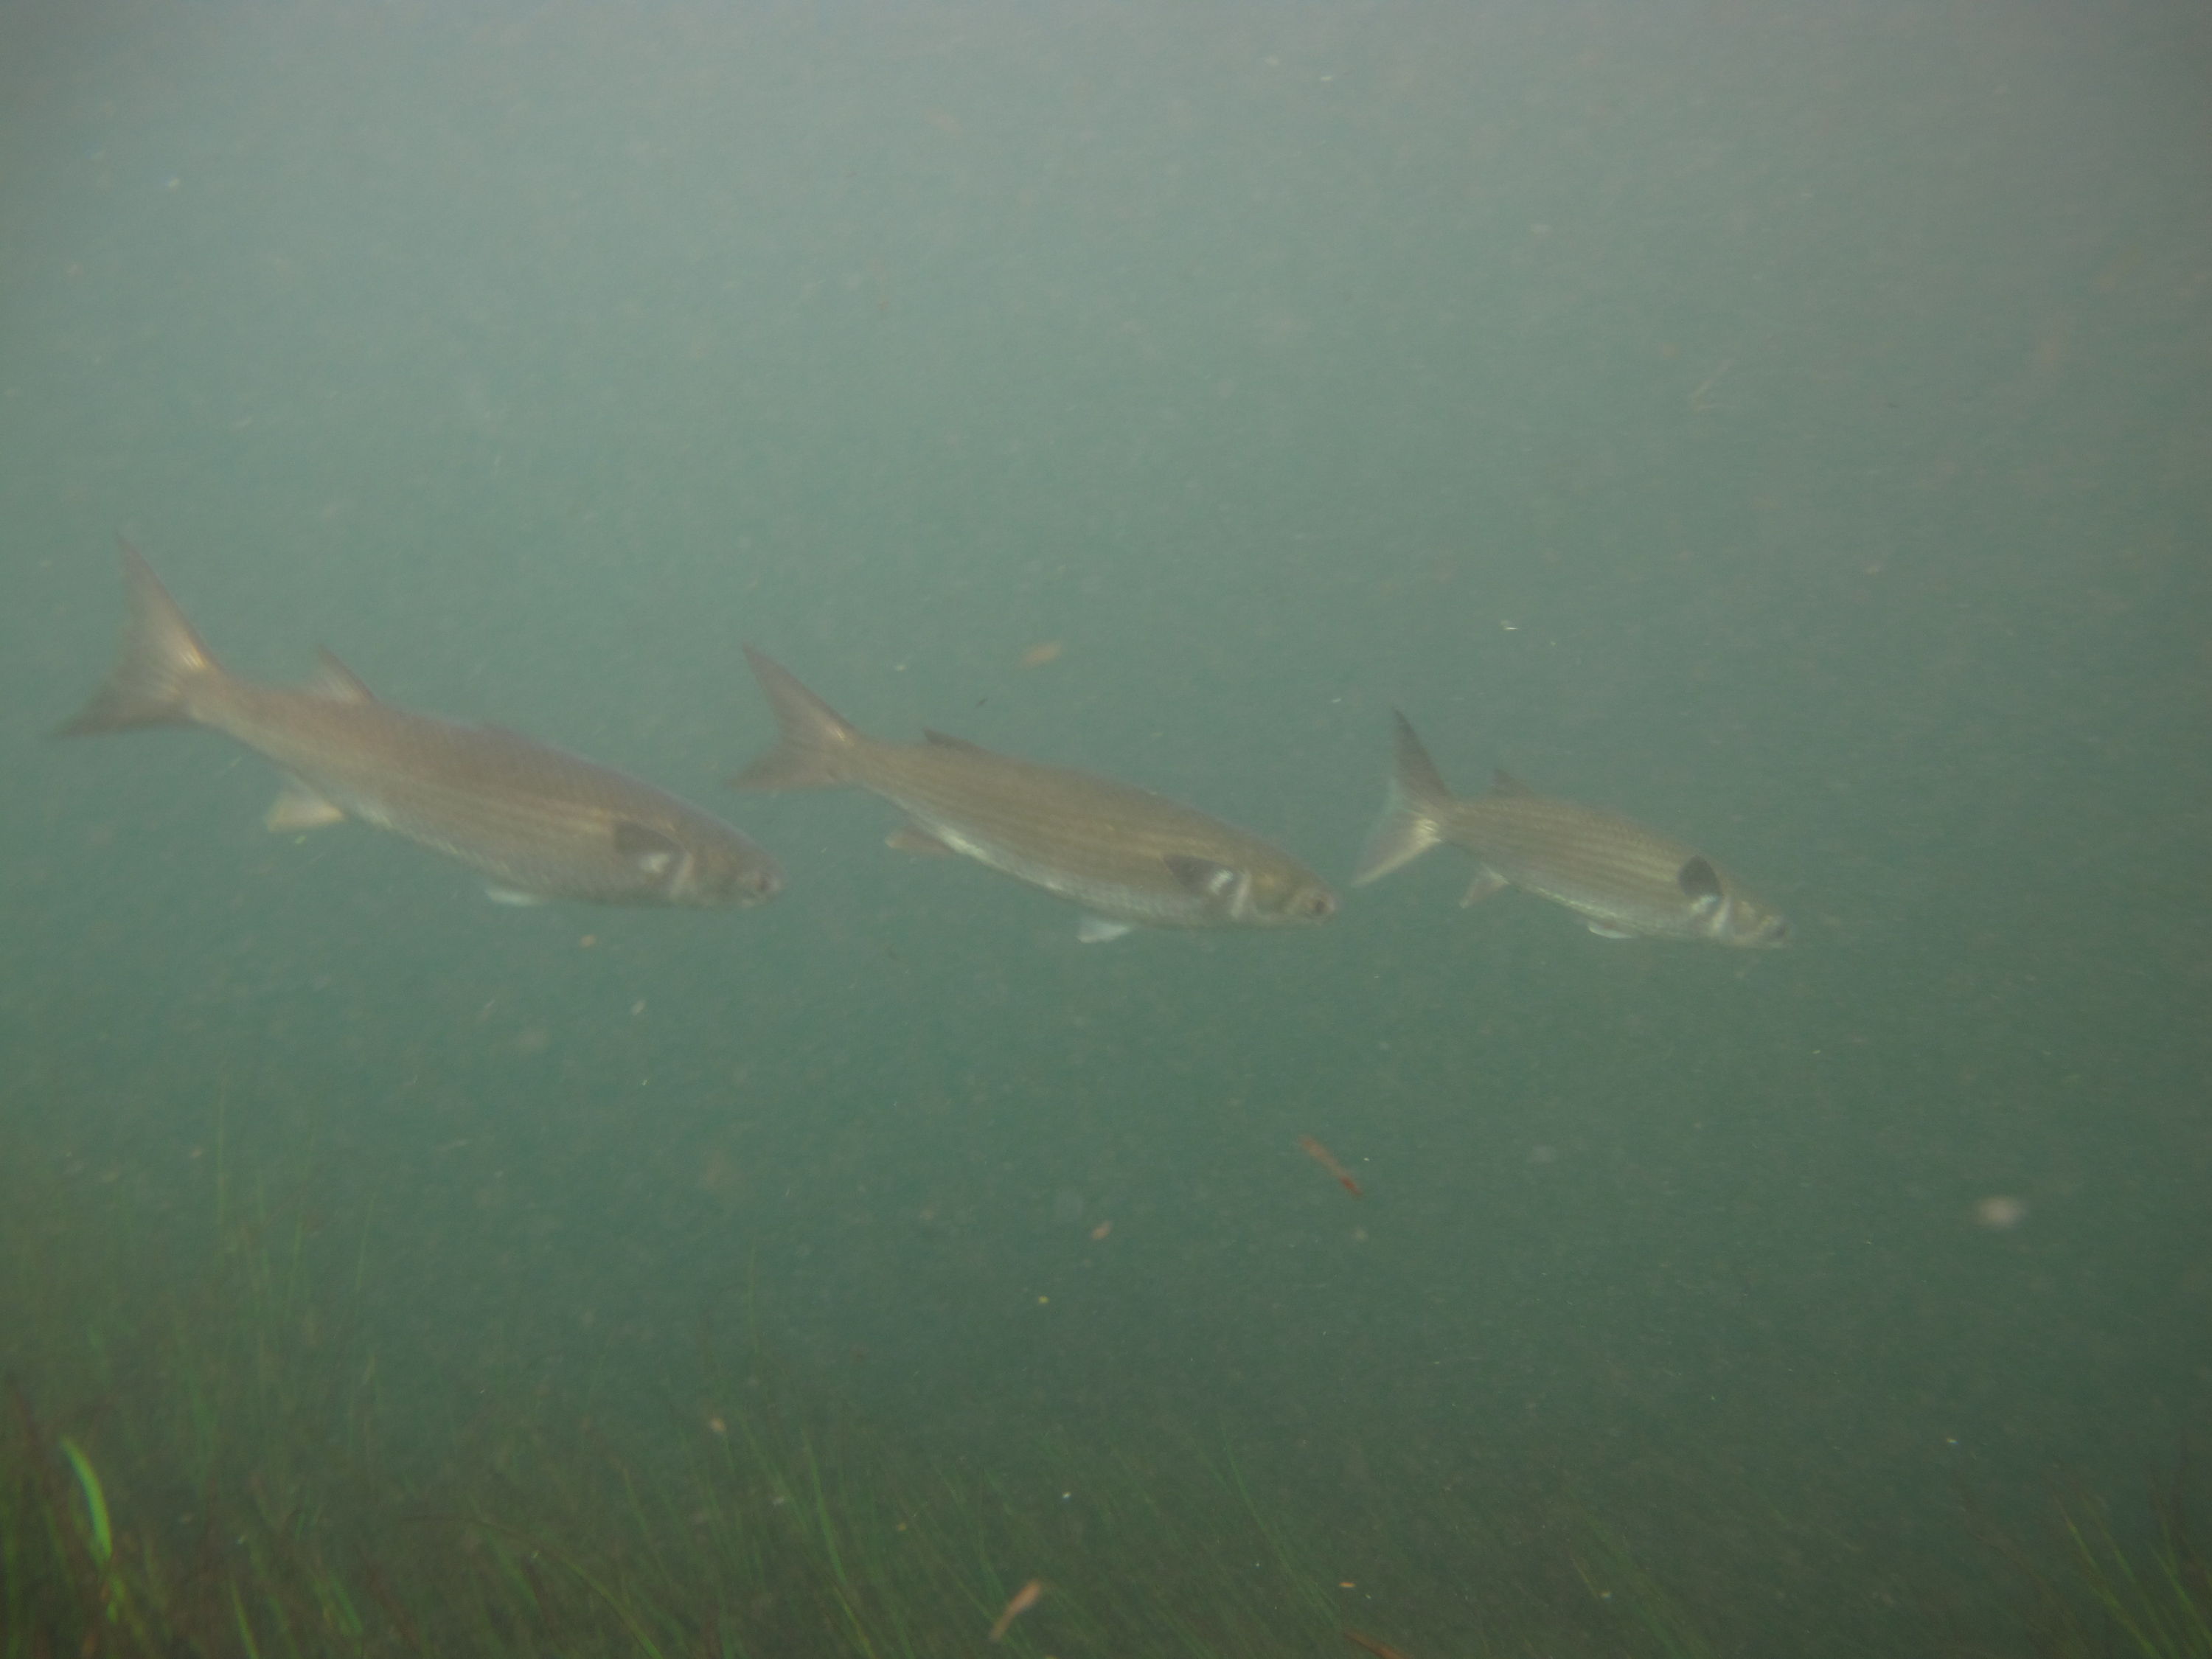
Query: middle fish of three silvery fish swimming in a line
x=1125, y=855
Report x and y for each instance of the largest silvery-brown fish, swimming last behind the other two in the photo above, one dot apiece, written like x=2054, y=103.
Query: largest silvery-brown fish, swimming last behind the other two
x=534, y=820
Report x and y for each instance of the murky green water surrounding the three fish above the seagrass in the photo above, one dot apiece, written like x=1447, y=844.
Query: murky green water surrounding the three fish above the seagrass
x=1784, y=424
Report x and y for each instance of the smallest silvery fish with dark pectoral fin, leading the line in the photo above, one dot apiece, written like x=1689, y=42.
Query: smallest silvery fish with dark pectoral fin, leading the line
x=1623, y=879
